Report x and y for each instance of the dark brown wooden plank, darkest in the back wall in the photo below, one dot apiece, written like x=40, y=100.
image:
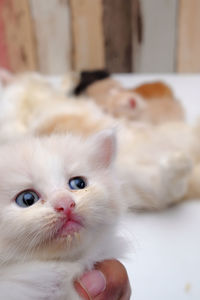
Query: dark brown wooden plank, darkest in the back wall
x=117, y=20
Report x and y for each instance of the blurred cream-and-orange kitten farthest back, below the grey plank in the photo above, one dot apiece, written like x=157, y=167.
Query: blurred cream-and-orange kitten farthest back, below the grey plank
x=153, y=103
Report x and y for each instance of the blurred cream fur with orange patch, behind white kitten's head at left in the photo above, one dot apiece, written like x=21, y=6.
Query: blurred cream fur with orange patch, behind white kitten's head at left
x=30, y=103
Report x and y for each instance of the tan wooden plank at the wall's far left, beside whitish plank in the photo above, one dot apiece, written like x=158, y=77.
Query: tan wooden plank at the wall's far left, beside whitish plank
x=18, y=37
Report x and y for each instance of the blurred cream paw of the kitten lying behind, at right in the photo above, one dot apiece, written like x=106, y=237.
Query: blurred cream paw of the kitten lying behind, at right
x=175, y=171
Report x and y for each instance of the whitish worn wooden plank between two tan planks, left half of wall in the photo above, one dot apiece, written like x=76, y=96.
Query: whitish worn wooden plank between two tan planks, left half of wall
x=53, y=35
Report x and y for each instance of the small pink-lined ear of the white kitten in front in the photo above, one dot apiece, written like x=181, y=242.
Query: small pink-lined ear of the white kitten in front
x=103, y=147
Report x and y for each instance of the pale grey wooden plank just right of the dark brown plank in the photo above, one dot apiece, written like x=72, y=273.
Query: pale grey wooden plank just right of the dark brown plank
x=156, y=52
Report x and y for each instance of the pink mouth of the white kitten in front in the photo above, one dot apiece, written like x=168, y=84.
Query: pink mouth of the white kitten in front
x=72, y=225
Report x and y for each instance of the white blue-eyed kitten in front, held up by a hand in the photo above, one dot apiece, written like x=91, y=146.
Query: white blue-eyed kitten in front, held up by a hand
x=60, y=204
